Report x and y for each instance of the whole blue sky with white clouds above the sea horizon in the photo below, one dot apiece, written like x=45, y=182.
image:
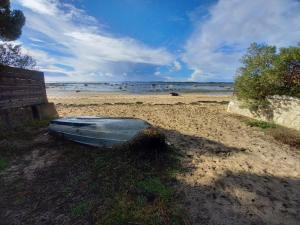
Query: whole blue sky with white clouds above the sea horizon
x=151, y=40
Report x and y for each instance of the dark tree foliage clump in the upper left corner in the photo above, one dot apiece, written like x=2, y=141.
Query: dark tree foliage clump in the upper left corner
x=11, y=22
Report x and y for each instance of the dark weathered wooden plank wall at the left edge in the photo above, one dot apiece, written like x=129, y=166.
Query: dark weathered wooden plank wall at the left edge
x=20, y=87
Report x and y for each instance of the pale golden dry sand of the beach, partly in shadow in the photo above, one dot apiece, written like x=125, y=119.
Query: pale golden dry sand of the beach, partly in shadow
x=235, y=174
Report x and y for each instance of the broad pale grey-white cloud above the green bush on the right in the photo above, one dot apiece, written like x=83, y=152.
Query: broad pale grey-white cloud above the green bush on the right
x=221, y=39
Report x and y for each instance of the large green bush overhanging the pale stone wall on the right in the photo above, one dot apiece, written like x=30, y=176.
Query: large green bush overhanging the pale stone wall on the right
x=265, y=73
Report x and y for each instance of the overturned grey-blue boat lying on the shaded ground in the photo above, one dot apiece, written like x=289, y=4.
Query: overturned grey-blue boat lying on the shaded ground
x=97, y=131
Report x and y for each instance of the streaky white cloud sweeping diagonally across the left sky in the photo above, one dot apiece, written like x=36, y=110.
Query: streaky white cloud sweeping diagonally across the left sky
x=70, y=37
